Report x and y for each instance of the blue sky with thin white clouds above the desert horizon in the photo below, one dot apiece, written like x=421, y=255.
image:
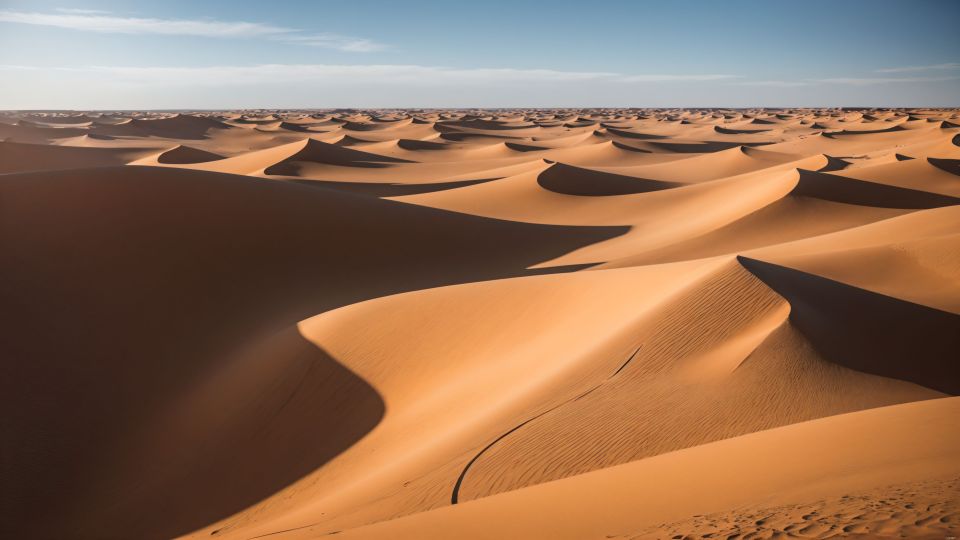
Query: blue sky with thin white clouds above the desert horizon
x=228, y=54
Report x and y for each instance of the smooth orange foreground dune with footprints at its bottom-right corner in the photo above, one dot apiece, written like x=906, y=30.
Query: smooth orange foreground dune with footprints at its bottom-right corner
x=787, y=469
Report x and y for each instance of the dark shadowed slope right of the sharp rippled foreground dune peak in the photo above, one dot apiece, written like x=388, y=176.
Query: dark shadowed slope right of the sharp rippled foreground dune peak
x=868, y=331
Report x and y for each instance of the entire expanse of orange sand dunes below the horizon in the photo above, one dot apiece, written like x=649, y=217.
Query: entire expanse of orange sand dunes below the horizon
x=592, y=323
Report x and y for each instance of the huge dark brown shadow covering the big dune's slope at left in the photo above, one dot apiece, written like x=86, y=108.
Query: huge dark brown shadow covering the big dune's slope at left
x=140, y=401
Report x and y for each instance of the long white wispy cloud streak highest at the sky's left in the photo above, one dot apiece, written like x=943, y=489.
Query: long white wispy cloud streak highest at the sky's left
x=98, y=21
